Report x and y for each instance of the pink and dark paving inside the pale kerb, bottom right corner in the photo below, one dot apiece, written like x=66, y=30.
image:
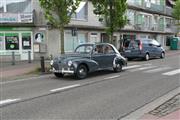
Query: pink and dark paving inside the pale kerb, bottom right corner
x=169, y=110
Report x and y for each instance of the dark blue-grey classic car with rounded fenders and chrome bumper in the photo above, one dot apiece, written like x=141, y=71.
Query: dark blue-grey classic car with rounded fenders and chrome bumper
x=88, y=58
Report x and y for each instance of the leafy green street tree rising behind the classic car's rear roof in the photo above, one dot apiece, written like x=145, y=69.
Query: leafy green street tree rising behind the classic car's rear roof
x=112, y=13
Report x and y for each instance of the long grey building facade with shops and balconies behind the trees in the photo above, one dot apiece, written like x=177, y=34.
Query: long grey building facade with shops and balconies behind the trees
x=23, y=27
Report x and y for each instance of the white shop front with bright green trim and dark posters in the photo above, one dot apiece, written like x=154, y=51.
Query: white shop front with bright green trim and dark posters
x=18, y=41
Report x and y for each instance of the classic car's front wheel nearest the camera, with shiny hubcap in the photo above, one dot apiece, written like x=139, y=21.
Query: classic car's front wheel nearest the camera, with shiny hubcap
x=81, y=72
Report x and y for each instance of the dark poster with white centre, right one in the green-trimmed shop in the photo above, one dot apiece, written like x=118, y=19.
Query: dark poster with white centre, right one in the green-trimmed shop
x=26, y=42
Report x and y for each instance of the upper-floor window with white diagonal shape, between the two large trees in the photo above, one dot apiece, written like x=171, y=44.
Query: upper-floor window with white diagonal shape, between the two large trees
x=81, y=12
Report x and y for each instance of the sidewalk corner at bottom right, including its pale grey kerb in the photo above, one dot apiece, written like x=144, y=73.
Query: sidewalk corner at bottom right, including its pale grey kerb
x=166, y=107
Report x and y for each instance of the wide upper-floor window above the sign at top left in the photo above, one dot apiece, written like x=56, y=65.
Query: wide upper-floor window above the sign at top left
x=16, y=6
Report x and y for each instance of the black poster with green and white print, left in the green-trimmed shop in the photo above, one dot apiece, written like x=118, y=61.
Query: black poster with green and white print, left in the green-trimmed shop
x=12, y=42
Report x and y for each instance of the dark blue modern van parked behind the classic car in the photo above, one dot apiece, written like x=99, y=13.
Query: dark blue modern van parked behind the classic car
x=145, y=48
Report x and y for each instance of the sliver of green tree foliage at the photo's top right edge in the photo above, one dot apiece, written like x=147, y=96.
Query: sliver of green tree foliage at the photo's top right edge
x=176, y=11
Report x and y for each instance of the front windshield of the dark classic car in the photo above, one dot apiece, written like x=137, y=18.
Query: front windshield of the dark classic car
x=84, y=49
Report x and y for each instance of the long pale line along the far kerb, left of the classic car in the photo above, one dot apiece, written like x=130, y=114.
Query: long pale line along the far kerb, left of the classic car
x=26, y=79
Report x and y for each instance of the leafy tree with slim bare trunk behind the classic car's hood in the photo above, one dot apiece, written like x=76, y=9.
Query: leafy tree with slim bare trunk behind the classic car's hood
x=58, y=13
